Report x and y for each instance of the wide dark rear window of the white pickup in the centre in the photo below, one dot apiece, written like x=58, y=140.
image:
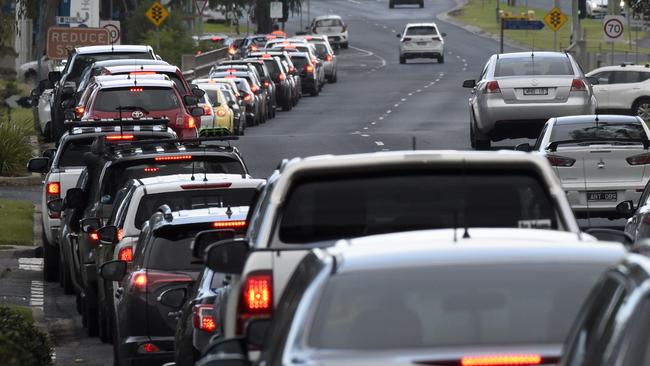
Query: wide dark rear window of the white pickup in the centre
x=350, y=206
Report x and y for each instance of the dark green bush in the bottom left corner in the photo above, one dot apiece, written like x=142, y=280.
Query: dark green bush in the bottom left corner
x=21, y=343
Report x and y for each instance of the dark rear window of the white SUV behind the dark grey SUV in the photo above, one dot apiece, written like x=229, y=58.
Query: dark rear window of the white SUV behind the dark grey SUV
x=192, y=200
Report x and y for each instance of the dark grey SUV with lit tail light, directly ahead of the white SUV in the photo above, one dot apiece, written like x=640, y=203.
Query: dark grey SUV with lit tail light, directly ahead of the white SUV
x=147, y=303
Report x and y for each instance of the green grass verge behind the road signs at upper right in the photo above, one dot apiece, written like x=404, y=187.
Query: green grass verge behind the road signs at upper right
x=482, y=14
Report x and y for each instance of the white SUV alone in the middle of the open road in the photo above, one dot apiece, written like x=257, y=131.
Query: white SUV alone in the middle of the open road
x=421, y=40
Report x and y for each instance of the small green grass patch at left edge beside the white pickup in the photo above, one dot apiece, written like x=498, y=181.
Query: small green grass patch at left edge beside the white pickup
x=16, y=215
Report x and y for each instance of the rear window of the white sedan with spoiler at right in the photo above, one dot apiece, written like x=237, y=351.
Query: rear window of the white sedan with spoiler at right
x=600, y=130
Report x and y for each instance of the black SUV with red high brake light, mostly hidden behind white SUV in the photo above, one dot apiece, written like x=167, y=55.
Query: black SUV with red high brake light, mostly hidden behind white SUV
x=91, y=202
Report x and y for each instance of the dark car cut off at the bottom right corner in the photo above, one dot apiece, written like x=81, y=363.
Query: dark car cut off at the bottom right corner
x=614, y=323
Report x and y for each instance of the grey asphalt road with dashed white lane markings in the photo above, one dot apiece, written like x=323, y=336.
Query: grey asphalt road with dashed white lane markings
x=377, y=105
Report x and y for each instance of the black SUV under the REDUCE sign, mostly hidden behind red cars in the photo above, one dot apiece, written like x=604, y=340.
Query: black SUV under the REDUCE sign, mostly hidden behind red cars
x=78, y=60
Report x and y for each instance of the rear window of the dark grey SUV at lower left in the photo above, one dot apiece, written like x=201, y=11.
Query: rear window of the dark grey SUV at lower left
x=170, y=248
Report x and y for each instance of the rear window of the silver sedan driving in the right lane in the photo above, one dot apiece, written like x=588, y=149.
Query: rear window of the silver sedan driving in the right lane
x=537, y=65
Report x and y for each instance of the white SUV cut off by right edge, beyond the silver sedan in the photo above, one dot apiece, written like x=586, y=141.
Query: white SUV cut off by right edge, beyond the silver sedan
x=623, y=88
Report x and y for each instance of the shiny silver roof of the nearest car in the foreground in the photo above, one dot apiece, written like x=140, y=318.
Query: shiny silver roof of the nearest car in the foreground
x=484, y=246
